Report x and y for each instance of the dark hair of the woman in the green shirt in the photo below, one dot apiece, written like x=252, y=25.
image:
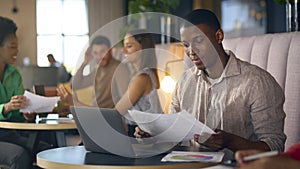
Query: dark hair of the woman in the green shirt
x=7, y=28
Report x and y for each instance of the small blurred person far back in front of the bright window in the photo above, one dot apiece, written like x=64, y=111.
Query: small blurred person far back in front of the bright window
x=63, y=75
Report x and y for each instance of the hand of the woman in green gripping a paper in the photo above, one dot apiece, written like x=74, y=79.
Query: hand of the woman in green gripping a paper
x=15, y=103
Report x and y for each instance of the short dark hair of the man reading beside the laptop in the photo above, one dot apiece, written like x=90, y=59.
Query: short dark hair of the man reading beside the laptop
x=202, y=16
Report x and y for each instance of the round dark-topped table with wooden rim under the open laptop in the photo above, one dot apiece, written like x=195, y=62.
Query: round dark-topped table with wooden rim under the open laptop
x=76, y=157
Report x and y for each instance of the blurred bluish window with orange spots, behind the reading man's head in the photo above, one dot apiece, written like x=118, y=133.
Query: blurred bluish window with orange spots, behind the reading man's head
x=243, y=17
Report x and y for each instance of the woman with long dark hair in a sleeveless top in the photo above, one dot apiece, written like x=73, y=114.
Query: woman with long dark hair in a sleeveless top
x=139, y=50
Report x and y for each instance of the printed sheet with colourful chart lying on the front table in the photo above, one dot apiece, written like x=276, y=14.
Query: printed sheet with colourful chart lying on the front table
x=185, y=156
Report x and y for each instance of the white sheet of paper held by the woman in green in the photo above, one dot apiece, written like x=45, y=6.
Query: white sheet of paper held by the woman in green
x=39, y=104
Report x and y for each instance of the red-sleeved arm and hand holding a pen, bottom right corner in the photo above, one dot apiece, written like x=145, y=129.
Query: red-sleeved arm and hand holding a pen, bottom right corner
x=290, y=159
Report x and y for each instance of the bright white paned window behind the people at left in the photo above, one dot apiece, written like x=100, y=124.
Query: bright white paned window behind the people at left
x=62, y=29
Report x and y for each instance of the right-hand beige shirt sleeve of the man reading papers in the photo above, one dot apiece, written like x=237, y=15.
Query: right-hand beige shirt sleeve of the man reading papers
x=267, y=113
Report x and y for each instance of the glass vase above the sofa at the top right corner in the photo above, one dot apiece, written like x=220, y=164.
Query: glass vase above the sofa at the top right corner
x=292, y=18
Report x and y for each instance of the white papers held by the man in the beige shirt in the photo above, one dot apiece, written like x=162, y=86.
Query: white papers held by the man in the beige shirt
x=170, y=127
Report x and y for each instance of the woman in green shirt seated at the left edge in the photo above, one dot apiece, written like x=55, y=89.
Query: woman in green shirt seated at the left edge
x=12, y=99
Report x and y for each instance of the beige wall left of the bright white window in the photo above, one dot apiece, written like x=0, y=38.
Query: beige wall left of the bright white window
x=26, y=22
